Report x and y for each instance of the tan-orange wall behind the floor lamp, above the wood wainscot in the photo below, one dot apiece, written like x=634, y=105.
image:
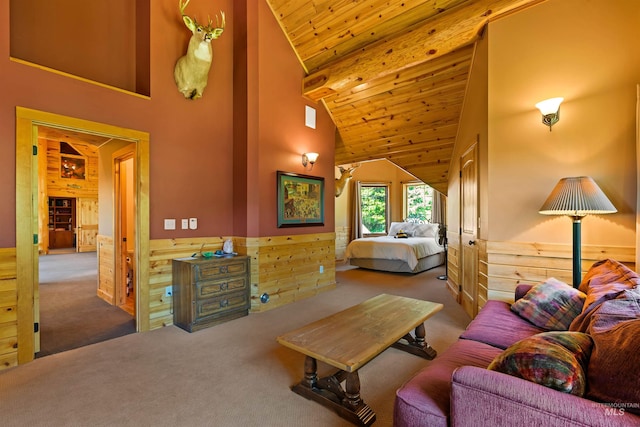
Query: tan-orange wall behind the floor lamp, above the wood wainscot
x=587, y=52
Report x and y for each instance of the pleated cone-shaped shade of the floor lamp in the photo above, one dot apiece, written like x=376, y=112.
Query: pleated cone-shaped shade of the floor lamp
x=577, y=197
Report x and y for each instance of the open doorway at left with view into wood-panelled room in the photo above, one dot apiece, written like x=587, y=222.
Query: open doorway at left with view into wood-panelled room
x=76, y=306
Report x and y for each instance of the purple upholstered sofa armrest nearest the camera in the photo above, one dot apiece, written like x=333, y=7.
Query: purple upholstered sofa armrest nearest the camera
x=483, y=397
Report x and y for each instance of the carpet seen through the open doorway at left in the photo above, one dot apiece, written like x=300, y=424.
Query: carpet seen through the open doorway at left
x=71, y=314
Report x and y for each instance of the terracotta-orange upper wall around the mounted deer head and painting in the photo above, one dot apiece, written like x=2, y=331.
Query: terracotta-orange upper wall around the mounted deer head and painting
x=194, y=145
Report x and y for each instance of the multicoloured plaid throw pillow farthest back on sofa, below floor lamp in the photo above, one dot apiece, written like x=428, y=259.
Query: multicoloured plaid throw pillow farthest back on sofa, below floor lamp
x=551, y=305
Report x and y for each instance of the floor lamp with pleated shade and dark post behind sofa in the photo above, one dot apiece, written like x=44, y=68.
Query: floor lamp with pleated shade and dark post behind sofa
x=577, y=197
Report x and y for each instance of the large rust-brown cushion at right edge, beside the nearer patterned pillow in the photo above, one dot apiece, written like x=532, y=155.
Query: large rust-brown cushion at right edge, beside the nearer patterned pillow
x=613, y=367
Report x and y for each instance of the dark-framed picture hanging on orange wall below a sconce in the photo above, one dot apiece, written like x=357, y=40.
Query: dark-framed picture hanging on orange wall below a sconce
x=300, y=200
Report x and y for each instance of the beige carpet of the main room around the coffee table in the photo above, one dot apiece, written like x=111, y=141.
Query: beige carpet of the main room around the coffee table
x=233, y=374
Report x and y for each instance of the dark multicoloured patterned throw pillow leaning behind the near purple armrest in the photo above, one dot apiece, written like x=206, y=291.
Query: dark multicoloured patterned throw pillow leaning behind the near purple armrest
x=556, y=360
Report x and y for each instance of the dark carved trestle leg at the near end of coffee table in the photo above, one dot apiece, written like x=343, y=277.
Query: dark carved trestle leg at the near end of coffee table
x=328, y=392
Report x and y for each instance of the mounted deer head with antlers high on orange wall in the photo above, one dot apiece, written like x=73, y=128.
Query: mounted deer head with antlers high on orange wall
x=192, y=70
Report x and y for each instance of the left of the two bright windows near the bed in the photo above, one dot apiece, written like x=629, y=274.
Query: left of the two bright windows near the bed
x=374, y=202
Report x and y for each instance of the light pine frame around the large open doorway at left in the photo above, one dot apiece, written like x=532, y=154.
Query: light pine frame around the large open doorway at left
x=27, y=122
